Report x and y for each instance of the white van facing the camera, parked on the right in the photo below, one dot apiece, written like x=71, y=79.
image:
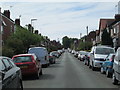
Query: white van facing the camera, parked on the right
x=98, y=55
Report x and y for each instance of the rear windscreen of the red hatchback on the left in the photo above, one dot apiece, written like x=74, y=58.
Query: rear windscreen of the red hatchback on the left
x=21, y=59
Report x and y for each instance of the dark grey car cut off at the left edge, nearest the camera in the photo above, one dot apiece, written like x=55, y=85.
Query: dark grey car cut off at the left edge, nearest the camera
x=10, y=74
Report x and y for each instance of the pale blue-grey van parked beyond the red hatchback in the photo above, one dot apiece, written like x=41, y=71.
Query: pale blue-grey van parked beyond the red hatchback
x=42, y=55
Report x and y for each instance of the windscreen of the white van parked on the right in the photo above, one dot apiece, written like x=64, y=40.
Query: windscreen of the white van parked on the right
x=104, y=51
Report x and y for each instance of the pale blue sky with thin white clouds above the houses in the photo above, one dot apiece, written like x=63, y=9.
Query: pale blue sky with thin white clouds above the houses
x=59, y=19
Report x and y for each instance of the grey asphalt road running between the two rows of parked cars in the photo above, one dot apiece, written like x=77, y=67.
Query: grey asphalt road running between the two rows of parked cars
x=69, y=72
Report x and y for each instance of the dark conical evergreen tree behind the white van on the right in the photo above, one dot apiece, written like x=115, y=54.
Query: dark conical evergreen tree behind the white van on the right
x=106, y=38
